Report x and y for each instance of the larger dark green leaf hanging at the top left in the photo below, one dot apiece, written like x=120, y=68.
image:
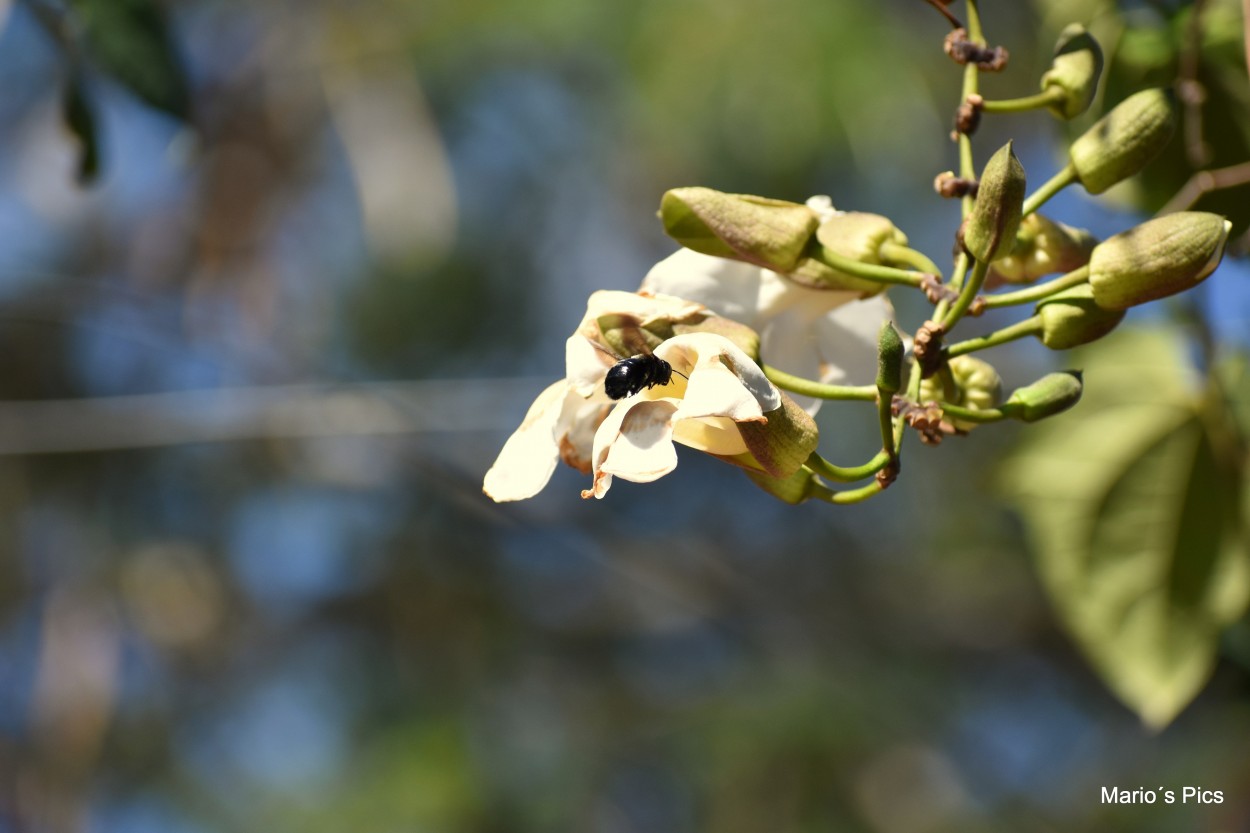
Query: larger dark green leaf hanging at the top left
x=129, y=41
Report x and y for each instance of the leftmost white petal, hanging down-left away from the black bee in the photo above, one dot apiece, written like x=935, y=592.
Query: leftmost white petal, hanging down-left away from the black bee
x=529, y=457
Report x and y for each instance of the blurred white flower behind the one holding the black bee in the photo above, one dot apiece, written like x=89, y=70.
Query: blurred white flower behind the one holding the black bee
x=829, y=336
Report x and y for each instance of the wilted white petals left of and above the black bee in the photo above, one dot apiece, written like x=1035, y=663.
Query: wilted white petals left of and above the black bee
x=561, y=425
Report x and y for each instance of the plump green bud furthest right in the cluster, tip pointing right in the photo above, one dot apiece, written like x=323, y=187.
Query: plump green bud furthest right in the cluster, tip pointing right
x=1159, y=258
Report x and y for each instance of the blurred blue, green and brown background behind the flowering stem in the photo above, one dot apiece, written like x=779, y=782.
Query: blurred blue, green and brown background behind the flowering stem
x=254, y=372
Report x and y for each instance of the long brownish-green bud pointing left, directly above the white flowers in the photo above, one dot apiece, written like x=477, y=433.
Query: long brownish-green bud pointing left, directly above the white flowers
x=768, y=233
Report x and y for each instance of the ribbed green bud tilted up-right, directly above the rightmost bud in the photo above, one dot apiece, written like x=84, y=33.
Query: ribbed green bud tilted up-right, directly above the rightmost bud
x=1124, y=141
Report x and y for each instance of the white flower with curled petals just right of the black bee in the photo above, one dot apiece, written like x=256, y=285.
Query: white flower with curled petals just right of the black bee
x=709, y=411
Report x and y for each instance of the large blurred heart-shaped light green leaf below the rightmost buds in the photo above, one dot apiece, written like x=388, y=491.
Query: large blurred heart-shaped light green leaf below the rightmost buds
x=1137, y=527
